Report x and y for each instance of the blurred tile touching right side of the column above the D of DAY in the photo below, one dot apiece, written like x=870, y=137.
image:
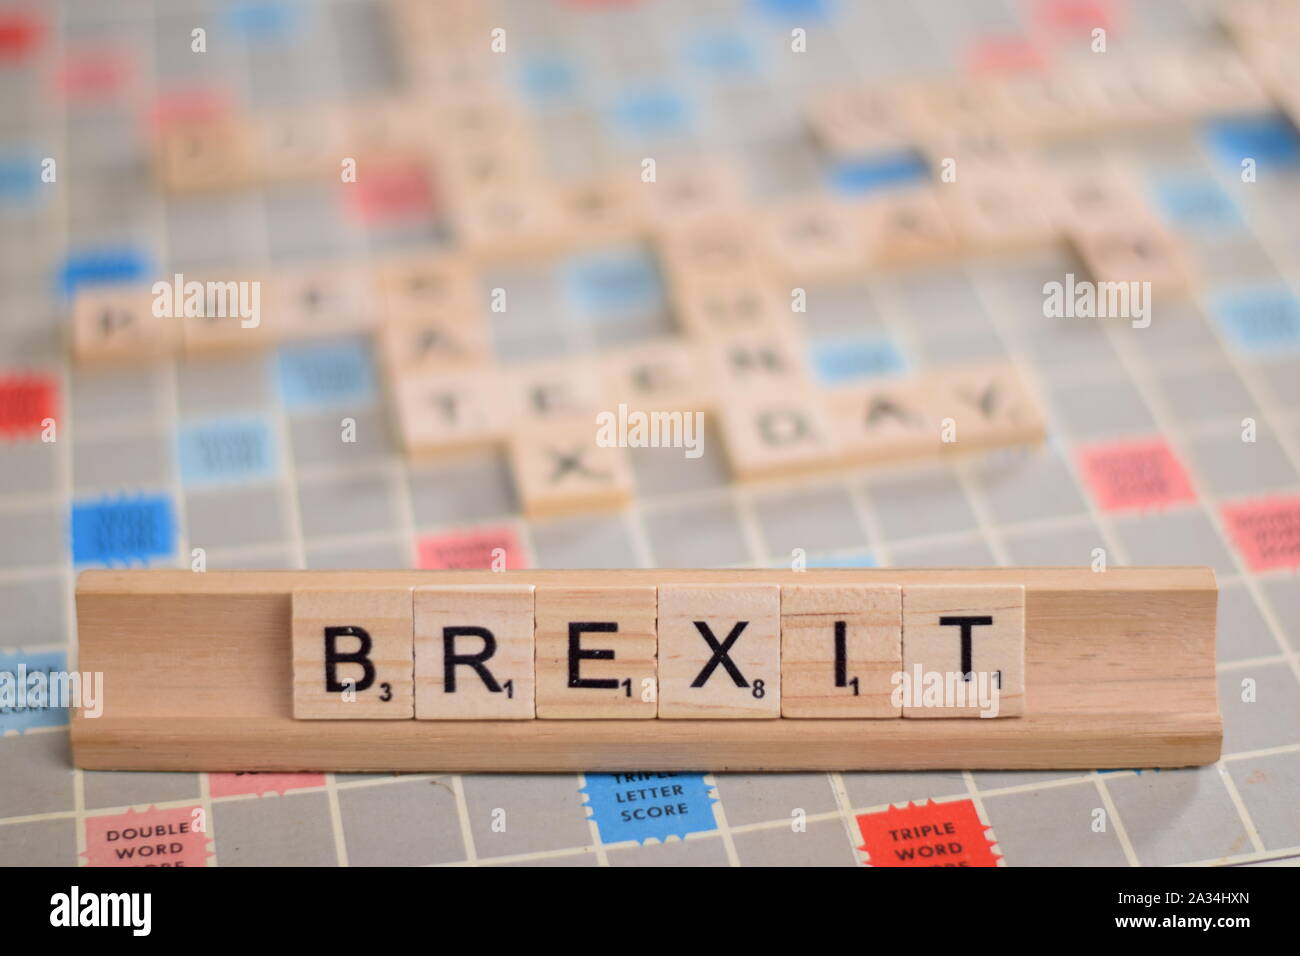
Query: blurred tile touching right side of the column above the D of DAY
x=813, y=239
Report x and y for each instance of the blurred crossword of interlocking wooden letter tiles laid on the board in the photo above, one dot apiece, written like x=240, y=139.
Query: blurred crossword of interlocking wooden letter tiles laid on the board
x=736, y=271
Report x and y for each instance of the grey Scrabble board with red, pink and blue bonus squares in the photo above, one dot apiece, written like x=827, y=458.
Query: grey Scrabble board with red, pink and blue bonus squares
x=1173, y=443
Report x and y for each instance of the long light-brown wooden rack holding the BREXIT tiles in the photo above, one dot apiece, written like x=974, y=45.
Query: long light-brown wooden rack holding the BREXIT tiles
x=198, y=676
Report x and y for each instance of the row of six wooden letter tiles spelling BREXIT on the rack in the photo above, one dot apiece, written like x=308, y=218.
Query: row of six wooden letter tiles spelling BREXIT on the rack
x=671, y=652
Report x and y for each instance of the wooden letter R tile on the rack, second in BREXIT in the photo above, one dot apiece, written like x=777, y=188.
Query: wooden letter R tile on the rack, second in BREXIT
x=474, y=654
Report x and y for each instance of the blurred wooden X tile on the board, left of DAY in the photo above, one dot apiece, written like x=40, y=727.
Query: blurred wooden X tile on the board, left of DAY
x=560, y=469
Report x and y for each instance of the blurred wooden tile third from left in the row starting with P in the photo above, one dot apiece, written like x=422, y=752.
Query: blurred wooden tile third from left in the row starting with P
x=319, y=304
